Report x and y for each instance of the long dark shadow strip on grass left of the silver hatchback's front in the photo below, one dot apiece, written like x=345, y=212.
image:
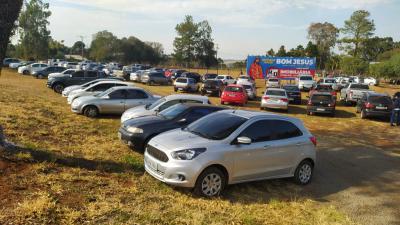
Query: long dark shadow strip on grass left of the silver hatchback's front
x=130, y=164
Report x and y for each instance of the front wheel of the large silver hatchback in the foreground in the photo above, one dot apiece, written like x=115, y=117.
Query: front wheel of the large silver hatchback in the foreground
x=210, y=183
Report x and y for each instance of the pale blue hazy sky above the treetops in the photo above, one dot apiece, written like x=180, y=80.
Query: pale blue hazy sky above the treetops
x=240, y=27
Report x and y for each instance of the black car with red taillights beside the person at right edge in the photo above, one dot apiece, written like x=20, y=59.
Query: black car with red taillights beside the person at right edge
x=374, y=105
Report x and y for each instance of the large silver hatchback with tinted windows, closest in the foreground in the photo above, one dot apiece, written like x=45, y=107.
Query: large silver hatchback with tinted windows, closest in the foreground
x=232, y=146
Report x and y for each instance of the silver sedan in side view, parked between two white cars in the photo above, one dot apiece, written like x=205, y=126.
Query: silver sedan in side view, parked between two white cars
x=113, y=101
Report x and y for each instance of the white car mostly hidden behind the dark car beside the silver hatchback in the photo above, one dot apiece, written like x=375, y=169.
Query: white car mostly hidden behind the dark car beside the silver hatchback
x=162, y=104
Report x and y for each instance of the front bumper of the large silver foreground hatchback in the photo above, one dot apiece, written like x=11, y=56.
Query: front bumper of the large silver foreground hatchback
x=169, y=172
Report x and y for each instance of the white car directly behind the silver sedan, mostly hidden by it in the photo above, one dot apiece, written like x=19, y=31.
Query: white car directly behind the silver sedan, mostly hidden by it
x=95, y=88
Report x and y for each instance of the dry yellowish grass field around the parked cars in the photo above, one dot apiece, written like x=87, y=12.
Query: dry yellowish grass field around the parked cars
x=72, y=170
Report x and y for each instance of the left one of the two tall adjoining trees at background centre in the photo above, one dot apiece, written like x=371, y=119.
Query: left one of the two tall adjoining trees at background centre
x=184, y=43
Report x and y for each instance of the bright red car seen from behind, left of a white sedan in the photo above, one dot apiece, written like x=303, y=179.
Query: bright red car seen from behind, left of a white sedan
x=234, y=94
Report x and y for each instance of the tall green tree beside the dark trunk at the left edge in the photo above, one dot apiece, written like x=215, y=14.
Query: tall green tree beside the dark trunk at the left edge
x=34, y=35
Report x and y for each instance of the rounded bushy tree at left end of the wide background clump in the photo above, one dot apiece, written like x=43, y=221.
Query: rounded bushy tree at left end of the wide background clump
x=104, y=46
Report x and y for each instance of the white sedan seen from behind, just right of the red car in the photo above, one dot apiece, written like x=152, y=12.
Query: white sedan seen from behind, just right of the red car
x=275, y=98
